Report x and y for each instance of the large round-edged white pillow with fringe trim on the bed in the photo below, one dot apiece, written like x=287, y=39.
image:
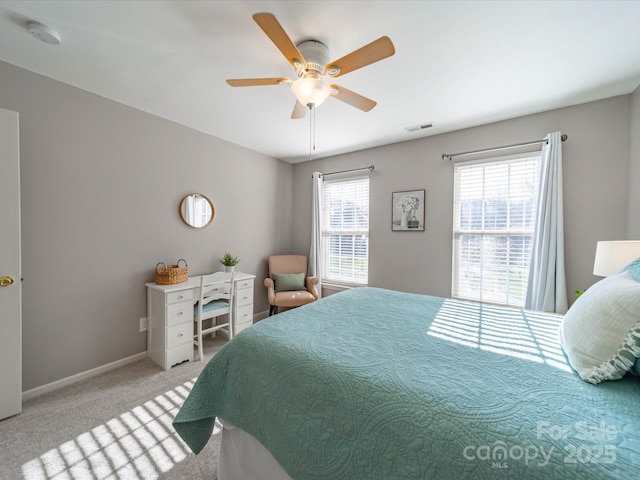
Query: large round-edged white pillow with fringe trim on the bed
x=600, y=334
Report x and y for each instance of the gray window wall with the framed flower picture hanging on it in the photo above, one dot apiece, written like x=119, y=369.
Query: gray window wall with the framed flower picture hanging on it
x=596, y=171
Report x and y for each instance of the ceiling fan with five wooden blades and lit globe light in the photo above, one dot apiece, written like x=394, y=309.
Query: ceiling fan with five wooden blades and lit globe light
x=310, y=58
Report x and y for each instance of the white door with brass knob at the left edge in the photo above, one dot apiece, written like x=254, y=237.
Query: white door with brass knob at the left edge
x=10, y=286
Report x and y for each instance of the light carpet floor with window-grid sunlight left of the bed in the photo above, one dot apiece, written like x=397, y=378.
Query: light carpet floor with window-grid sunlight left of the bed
x=113, y=426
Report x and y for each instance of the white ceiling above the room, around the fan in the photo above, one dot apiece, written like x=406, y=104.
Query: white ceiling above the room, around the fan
x=457, y=63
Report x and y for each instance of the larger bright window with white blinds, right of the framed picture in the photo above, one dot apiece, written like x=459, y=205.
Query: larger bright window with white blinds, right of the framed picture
x=493, y=224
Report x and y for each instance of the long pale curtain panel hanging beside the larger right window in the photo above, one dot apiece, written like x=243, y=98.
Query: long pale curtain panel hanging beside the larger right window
x=547, y=288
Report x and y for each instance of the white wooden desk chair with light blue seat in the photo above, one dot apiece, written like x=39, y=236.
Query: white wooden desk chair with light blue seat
x=216, y=299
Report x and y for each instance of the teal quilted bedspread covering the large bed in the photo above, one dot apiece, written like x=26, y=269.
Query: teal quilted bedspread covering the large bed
x=376, y=384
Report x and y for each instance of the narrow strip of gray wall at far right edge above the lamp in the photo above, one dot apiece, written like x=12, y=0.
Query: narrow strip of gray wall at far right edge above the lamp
x=634, y=167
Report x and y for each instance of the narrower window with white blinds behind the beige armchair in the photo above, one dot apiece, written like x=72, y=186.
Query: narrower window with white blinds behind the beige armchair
x=345, y=231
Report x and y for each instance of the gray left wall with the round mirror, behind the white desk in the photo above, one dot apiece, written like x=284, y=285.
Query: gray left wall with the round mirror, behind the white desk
x=100, y=187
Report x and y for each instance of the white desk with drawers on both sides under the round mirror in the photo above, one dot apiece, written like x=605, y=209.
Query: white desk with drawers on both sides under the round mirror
x=170, y=317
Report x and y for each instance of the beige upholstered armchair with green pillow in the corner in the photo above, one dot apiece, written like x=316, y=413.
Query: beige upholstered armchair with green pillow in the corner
x=288, y=284
